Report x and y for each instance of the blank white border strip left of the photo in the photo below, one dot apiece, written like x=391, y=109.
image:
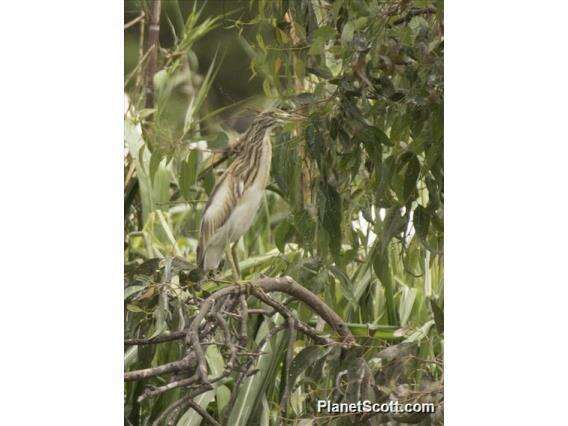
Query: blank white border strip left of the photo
x=61, y=238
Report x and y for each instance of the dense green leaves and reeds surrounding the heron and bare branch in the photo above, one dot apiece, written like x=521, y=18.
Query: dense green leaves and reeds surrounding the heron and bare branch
x=353, y=212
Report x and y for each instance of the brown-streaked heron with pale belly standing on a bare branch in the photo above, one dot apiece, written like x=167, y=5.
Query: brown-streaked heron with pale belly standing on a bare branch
x=235, y=199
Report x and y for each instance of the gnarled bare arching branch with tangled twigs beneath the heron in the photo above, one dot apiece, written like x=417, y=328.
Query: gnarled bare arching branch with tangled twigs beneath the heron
x=216, y=313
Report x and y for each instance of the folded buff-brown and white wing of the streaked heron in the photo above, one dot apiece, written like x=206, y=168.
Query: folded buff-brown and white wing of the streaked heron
x=218, y=209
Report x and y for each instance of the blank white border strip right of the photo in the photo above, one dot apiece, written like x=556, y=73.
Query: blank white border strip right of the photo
x=506, y=258
